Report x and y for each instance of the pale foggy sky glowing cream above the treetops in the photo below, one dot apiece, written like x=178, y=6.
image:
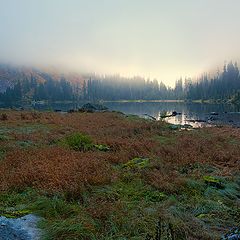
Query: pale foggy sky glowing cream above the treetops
x=161, y=39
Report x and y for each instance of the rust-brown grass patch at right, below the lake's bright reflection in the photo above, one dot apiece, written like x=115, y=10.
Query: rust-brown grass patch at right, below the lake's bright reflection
x=206, y=147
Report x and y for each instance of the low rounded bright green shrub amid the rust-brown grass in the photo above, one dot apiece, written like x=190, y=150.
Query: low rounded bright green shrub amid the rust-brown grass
x=78, y=142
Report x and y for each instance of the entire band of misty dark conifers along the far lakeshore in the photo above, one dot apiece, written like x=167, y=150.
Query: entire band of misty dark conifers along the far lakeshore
x=224, y=85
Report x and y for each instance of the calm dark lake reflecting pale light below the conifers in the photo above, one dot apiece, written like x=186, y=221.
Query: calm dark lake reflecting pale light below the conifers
x=190, y=113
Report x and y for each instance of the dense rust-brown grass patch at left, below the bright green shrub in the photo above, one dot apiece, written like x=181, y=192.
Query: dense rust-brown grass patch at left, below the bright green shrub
x=53, y=169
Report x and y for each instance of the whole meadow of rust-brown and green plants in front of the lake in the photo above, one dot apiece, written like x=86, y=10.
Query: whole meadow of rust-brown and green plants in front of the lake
x=94, y=194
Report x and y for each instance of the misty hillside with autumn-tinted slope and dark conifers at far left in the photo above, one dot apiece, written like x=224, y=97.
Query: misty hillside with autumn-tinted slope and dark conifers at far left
x=21, y=84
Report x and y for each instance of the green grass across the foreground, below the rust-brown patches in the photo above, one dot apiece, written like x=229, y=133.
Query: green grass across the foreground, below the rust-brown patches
x=191, y=209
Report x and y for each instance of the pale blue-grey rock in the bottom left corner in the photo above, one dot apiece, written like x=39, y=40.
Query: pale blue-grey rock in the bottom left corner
x=24, y=228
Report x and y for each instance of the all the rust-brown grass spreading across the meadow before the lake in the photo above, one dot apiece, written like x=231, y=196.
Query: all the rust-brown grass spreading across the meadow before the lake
x=58, y=169
